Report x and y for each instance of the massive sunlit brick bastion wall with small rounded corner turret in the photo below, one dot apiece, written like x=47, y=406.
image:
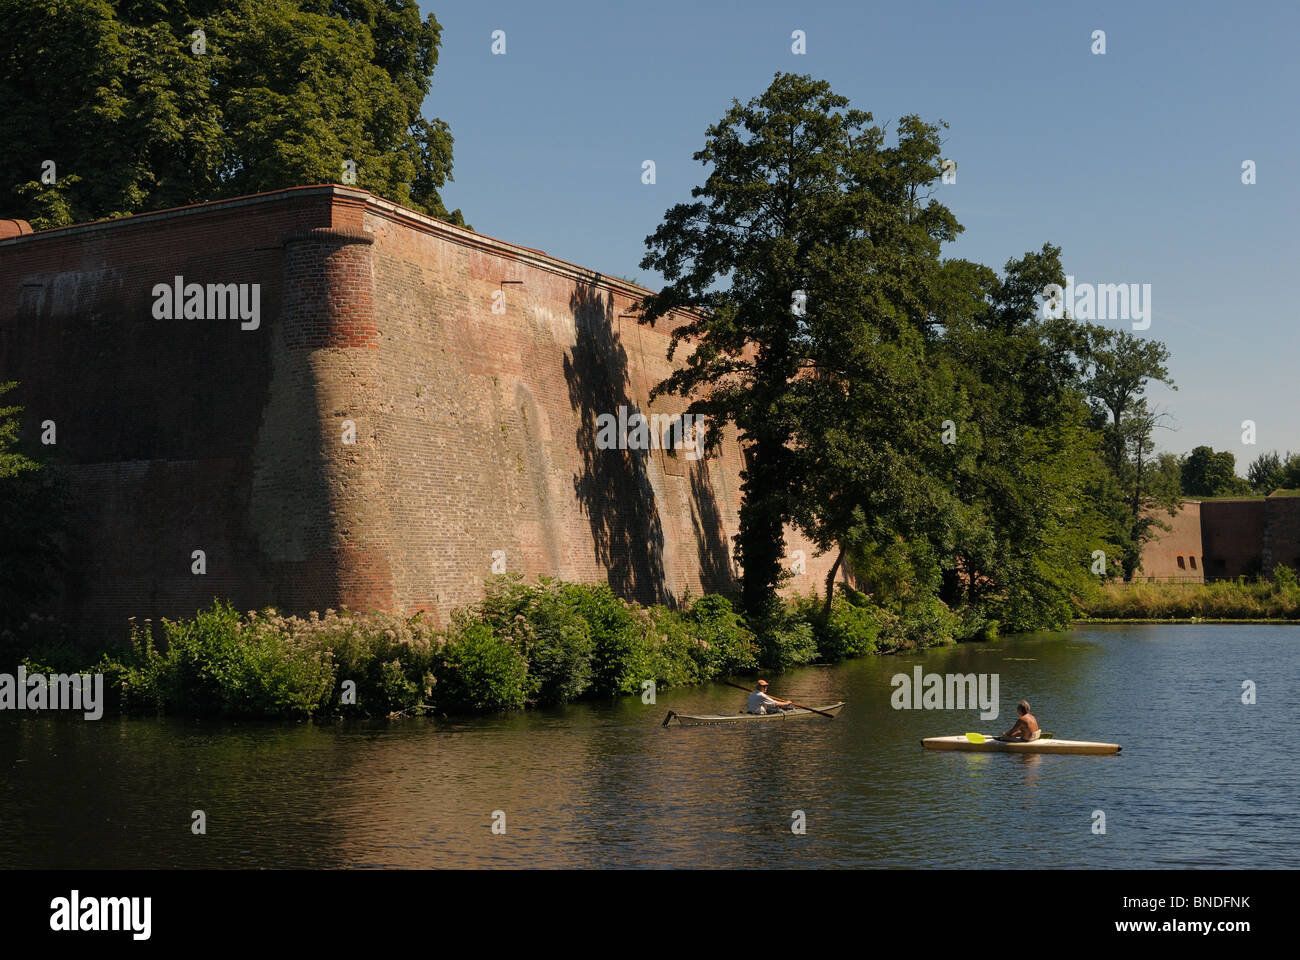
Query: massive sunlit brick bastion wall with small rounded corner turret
x=470, y=371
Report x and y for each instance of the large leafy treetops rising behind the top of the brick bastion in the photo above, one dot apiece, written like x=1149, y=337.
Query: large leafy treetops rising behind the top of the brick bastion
x=114, y=93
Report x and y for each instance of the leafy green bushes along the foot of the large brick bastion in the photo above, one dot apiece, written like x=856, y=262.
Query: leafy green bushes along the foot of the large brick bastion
x=523, y=646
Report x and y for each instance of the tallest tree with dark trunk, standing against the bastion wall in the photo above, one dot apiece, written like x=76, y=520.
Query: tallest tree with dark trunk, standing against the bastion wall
x=801, y=256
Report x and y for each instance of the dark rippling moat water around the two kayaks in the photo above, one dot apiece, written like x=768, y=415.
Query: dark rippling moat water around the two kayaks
x=1203, y=781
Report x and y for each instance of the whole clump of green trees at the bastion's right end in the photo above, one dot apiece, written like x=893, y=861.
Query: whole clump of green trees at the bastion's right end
x=924, y=418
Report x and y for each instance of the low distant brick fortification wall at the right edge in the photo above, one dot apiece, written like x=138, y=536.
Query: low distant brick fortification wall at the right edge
x=1225, y=539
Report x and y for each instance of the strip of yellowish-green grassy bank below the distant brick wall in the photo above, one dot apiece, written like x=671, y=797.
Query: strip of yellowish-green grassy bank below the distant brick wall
x=1273, y=599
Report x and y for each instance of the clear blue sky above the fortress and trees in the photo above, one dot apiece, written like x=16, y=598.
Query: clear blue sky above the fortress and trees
x=1130, y=162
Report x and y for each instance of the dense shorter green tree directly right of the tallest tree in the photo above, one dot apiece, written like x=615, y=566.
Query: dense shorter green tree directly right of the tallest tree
x=1025, y=464
